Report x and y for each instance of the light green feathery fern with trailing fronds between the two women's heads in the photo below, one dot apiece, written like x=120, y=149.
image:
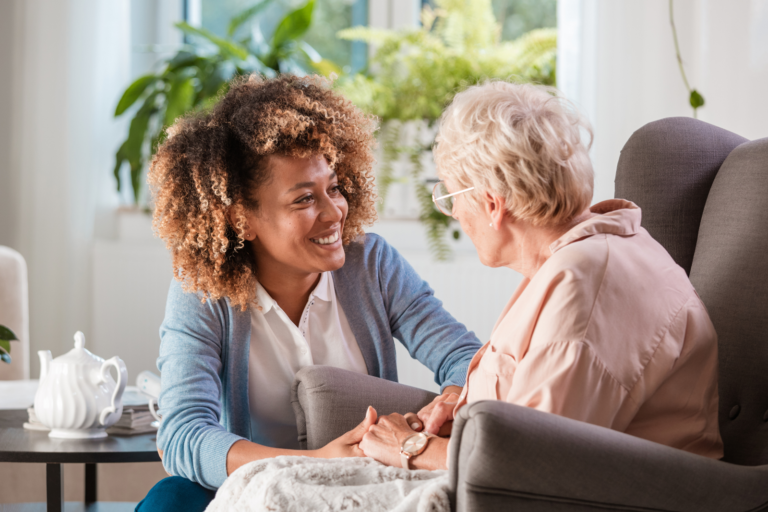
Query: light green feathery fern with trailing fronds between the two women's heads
x=414, y=75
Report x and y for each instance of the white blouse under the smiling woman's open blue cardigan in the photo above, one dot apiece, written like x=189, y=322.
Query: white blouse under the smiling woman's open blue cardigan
x=279, y=349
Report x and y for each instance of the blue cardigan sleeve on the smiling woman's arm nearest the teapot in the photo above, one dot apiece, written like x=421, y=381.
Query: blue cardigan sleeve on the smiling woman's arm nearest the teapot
x=194, y=443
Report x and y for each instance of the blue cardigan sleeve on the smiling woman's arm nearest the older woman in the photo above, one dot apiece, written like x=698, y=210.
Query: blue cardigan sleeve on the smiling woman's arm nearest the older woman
x=417, y=318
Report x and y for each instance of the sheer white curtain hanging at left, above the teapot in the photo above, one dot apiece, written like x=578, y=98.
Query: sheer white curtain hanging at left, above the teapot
x=69, y=60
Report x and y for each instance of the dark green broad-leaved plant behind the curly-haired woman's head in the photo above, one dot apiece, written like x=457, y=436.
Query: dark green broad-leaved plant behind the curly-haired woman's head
x=199, y=73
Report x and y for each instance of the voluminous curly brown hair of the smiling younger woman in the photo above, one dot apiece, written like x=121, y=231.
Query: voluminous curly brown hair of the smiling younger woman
x=212, y=163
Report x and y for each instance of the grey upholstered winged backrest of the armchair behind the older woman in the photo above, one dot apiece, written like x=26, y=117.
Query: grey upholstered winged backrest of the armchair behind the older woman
x=704, y=195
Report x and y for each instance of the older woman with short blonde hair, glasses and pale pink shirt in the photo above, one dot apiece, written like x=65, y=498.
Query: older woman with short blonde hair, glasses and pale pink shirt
x=605, y=328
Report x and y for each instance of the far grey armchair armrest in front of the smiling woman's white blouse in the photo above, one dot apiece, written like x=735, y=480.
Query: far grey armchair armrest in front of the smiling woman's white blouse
x=329, y=401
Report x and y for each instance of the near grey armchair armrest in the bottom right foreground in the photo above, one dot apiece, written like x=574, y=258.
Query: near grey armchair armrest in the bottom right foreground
x=505, y=457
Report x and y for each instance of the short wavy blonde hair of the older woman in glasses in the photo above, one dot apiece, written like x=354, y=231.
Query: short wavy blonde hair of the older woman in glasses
x=522, y=142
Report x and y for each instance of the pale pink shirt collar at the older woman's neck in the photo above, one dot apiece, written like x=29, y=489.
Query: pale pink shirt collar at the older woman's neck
x=614, y=216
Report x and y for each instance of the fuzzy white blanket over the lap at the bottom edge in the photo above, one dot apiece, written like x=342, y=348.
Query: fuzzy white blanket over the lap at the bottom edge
x=288, y=484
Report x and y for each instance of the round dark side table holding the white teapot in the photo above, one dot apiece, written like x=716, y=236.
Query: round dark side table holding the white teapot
x=20, y=445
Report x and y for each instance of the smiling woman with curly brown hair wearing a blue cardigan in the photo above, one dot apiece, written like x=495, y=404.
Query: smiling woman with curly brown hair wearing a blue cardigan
x=262, y=203
